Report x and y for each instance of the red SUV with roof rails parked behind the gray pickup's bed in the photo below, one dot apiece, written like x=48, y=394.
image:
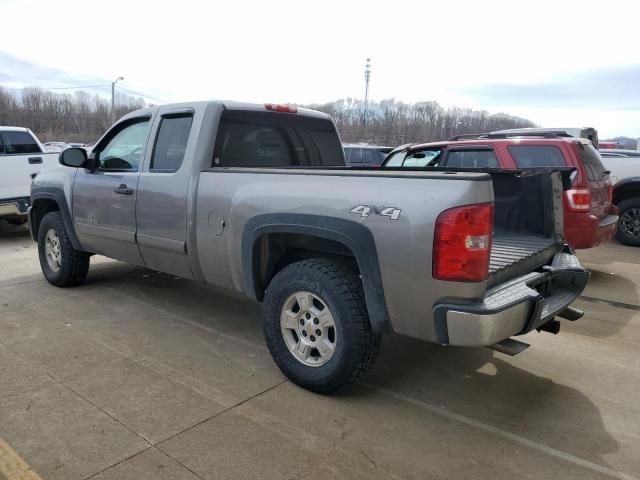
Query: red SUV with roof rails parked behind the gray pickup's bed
x=590, y=218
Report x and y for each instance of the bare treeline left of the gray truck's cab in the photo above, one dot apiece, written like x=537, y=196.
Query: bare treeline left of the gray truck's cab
x=77, y=117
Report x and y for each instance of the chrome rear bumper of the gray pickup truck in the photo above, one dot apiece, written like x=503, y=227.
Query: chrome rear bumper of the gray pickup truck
x=513, y=308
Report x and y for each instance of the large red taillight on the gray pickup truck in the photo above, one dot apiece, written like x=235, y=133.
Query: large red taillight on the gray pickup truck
x=462, y=243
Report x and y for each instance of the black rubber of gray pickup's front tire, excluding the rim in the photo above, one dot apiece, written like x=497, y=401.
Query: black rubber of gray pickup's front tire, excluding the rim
x=74, y=265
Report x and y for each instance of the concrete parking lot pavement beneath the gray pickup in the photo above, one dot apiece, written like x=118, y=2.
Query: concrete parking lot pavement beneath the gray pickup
x=139, y=375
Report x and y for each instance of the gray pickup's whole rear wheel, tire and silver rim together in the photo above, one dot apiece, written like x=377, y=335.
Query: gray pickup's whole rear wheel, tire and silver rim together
x=316, y=325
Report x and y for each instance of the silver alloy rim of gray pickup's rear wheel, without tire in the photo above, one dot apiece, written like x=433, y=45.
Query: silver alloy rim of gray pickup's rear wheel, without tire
x=308, y=329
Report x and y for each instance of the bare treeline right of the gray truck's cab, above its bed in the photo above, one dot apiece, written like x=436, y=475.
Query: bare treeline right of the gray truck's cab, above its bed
x=390, y=122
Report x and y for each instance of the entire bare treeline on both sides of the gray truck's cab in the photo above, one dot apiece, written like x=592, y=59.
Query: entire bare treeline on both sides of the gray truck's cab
x=81, y=117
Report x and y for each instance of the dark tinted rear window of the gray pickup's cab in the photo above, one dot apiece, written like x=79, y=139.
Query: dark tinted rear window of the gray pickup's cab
x=266, y=139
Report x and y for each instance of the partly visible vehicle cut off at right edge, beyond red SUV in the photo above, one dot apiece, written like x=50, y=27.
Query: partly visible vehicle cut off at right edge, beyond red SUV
x=624, y=168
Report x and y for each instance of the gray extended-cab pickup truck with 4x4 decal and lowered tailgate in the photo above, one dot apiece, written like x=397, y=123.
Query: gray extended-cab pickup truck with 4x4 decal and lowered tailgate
x=256, y=198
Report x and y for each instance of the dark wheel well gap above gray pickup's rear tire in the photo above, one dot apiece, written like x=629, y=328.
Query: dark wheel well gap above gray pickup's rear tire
x=274, y=251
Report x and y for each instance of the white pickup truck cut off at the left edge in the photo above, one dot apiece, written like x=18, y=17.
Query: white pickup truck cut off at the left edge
x=22, y=157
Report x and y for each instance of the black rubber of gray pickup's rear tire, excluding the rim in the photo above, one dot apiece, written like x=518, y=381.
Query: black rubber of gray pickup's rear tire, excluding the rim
x=356, y=345
